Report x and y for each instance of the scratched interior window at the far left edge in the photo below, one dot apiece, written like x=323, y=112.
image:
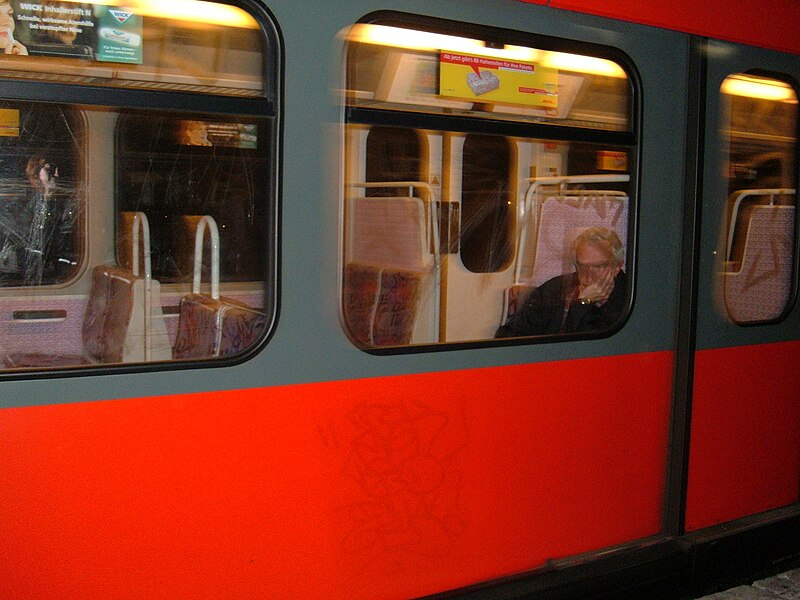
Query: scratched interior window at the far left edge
x=42, y=215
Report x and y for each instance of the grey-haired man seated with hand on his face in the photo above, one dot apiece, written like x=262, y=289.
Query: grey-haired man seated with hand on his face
x=590, y=299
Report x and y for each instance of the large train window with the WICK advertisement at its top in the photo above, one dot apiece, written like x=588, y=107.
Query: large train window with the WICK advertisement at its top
x=129, y=233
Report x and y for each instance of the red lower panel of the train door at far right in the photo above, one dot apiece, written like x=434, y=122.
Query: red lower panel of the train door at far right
x=745, y=442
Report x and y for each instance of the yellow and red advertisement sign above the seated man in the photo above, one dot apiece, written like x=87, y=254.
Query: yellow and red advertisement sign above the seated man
x=483, y=79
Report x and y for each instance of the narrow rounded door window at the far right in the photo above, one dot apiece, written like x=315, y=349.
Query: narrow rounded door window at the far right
x=760, y=116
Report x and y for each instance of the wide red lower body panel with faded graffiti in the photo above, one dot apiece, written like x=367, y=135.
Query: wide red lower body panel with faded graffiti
x=375, y=488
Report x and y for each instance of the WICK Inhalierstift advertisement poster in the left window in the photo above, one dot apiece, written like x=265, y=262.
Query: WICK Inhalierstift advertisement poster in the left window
x=70, y=29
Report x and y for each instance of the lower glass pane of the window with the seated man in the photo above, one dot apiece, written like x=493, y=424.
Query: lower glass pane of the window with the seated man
x=446, y=235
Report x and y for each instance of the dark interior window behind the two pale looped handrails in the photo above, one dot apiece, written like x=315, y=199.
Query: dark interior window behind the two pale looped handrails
x=170, y=167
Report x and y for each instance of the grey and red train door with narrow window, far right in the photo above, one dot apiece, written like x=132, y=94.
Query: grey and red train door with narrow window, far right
x=744, y=454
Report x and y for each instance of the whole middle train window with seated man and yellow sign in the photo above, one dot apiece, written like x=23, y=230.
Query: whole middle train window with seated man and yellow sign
x=487, y=186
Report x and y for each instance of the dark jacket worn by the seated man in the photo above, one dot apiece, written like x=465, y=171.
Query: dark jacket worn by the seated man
x=553, y=308
